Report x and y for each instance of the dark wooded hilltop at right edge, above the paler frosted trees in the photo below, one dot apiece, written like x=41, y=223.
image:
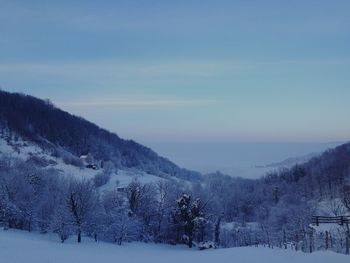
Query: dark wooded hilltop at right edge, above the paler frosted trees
x=322, y=177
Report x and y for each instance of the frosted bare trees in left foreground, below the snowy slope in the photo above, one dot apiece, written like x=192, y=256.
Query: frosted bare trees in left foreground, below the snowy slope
x=44, y=200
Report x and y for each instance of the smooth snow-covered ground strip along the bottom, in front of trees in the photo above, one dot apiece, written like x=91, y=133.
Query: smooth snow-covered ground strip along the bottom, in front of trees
x=23, y=247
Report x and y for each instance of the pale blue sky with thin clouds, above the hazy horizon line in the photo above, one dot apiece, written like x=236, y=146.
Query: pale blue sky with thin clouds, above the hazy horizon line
x=186, y=71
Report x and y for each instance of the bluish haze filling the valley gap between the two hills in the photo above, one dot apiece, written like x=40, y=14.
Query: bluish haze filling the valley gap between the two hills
x=237, y=159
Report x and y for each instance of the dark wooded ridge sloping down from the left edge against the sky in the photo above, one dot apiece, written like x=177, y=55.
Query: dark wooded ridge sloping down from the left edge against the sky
x=40, y=121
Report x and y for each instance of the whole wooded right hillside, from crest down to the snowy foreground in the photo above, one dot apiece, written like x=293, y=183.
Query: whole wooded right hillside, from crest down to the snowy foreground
x=280, y=205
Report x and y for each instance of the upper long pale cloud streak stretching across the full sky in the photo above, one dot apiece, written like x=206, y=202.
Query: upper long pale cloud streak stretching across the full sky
x=155, y=68
